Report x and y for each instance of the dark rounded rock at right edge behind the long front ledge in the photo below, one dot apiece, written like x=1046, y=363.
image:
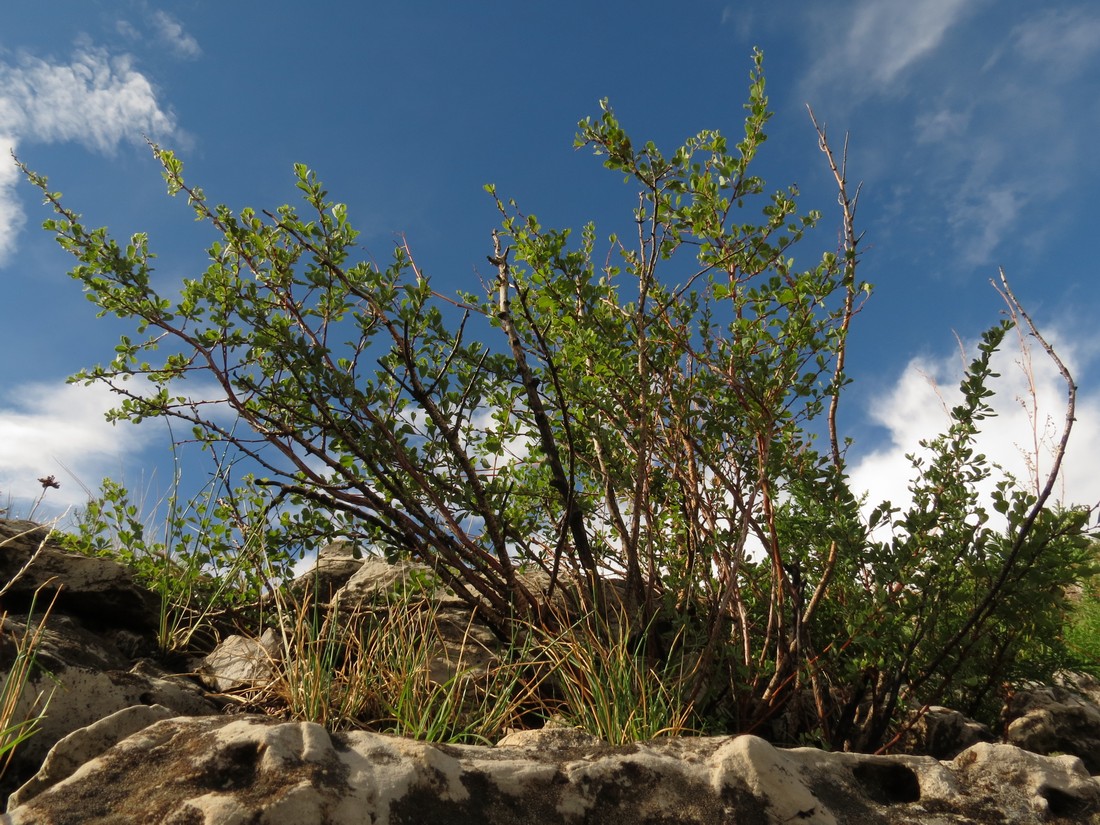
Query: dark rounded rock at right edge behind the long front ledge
x=1062, y=719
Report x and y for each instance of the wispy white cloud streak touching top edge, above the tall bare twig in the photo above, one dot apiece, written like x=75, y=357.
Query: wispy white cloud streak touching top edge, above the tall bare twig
x=871, y=48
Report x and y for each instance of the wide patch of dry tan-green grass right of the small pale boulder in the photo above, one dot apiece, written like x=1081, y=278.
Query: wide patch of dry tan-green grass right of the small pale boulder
x=386, y=667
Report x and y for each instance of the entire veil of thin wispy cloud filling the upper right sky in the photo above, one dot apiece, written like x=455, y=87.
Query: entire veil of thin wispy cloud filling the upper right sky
x=985, y=144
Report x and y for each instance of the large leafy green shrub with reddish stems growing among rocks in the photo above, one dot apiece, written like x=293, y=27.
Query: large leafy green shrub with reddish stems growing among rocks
x=646, y=413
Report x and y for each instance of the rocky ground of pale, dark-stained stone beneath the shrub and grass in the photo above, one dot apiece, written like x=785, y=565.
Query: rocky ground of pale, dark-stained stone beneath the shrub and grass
x=127, y=742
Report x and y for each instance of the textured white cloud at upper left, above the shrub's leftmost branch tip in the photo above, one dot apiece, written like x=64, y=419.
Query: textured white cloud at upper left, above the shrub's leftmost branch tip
x=97, y=101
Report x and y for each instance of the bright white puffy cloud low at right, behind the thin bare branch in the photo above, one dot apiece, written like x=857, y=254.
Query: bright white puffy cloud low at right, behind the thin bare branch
x=916, y=408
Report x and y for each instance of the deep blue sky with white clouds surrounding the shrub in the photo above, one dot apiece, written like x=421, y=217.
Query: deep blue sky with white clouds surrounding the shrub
x=973, y=127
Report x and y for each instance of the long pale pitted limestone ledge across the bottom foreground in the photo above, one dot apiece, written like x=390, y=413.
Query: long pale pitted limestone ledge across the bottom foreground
x=222, y=771
